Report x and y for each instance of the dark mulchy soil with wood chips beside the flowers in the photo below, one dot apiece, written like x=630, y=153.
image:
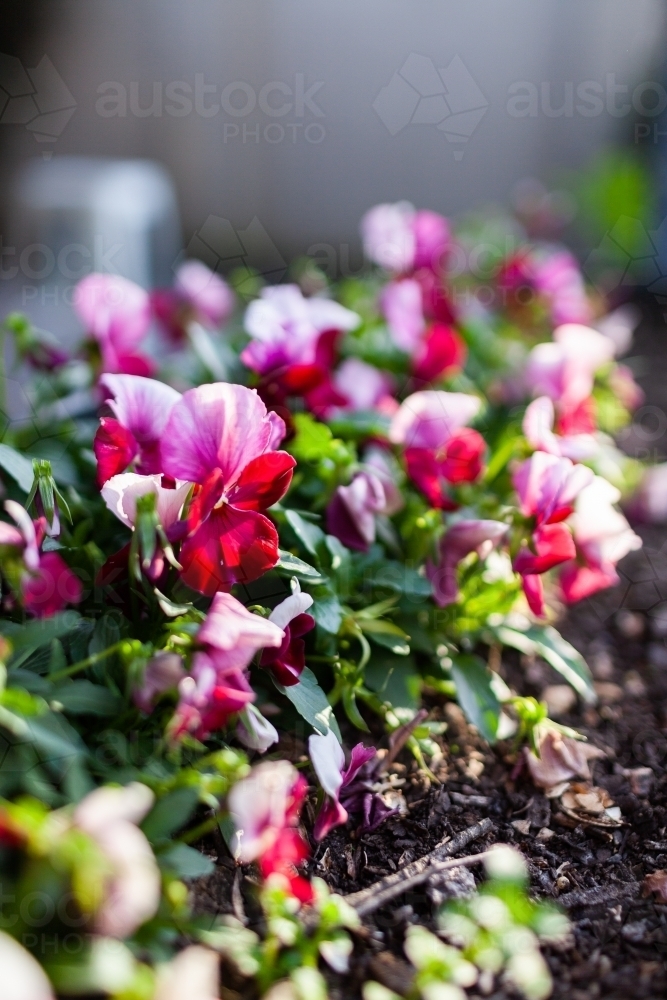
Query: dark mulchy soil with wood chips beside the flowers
x=619, y=948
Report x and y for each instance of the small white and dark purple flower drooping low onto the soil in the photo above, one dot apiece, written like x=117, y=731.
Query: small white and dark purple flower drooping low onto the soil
x=346, y=789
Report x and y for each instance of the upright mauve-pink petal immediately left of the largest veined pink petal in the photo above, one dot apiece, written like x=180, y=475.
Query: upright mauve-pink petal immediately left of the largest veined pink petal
x=142, y=405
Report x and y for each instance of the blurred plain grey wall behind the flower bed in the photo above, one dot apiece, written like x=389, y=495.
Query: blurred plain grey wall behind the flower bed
x=302, y=114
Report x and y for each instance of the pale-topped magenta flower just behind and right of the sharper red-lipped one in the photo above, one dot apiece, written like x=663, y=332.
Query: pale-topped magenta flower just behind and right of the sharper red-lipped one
x=602, y=537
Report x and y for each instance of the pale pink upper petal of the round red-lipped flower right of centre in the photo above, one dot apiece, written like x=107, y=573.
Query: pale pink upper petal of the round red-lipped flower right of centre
x=428, y=419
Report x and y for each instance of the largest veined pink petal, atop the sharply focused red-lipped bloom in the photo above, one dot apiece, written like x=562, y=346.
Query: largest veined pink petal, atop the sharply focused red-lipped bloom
x=217, y=426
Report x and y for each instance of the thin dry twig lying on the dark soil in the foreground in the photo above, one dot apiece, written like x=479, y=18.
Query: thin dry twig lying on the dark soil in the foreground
x=372, y=898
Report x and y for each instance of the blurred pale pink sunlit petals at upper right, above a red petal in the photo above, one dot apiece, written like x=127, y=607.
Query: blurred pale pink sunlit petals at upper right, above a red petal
x=565, y=369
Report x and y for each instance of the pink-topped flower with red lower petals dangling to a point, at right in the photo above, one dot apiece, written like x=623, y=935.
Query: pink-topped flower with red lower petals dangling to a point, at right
x=548, y=487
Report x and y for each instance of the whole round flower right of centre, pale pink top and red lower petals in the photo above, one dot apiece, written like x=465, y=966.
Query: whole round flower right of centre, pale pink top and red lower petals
x=438, y=447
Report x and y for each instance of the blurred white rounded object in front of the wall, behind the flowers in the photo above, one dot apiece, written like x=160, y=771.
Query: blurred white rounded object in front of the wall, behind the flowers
x=89, y=214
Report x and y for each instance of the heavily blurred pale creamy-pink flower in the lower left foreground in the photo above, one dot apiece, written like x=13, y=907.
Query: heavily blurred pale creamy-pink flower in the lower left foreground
x=128, y=893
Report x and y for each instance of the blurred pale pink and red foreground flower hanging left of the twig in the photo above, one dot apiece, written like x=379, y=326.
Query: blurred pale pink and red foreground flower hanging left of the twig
x=265, y=810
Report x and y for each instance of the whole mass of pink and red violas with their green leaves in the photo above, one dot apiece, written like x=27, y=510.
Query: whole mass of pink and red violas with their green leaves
x=239, y=512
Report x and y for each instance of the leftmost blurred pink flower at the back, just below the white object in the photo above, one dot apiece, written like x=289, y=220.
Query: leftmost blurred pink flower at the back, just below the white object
x=117, y=314
